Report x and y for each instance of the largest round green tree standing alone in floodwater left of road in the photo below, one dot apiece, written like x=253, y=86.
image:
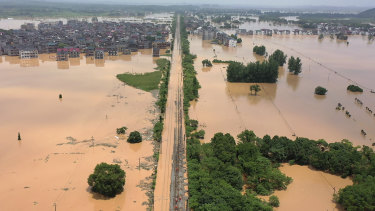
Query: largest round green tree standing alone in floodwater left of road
x=107, y=179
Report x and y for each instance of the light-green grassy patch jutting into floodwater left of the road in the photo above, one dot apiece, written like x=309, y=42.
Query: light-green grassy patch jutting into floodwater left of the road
x=146, y=81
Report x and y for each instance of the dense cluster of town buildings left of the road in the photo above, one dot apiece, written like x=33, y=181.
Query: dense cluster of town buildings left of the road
x=95, y=39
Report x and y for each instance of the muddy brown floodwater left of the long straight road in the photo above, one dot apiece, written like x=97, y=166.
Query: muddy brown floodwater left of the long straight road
x=63, y=140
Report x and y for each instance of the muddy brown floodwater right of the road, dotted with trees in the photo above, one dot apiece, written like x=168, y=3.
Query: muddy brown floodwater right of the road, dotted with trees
x=289, y=106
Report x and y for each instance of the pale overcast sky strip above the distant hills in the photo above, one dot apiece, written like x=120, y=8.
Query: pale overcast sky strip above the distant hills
x=276, y=3
